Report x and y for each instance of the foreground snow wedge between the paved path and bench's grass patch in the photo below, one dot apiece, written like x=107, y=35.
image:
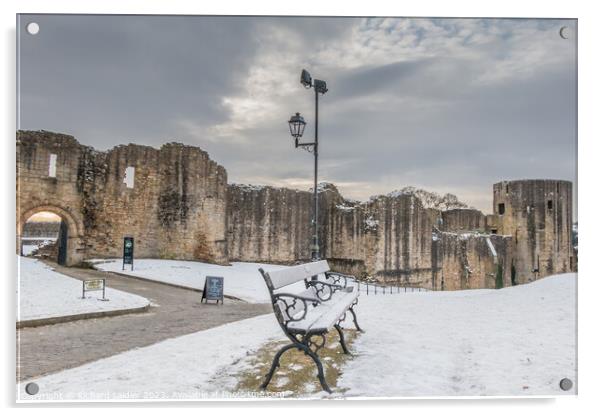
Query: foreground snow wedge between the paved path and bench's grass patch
x=194, y=366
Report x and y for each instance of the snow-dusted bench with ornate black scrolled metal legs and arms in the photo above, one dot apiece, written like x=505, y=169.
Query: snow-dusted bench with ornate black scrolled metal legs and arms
x=306, y=316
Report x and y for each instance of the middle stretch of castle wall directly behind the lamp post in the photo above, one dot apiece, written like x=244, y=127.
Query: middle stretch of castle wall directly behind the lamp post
x=388, y=237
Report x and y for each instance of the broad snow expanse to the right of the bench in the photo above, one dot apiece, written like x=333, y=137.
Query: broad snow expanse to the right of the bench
x=513, y=341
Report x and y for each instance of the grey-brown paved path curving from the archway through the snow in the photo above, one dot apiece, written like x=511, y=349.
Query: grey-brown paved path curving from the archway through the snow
x=173, y=312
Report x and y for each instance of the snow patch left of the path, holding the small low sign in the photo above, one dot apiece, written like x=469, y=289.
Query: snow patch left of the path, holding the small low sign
x=44, y=293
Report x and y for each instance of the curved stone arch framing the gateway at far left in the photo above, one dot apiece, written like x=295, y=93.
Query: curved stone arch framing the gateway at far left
x=74, y=252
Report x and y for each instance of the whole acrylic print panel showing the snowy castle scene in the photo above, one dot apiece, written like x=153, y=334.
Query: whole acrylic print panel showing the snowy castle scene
x=439, y=214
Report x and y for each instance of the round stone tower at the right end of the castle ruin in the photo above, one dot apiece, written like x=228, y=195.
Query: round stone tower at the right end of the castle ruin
x=538, y=215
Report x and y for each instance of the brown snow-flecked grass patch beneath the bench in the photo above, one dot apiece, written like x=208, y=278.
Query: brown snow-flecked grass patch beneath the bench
x=297, y=375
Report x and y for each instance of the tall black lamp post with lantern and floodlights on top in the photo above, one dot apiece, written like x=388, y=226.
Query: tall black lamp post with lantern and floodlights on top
x=297, y=126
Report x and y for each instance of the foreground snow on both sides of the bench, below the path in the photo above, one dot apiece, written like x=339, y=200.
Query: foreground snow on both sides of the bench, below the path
x=513, y=341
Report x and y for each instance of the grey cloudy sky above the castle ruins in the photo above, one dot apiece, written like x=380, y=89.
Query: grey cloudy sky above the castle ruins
x=450, y=105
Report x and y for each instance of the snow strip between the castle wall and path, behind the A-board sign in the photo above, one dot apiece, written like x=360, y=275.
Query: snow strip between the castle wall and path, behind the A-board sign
x=241, y=280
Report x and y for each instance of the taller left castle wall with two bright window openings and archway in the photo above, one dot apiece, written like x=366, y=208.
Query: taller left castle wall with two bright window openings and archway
x=175, y=209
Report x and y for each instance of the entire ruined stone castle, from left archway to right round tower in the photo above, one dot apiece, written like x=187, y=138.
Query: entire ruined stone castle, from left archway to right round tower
x=177, y=204
